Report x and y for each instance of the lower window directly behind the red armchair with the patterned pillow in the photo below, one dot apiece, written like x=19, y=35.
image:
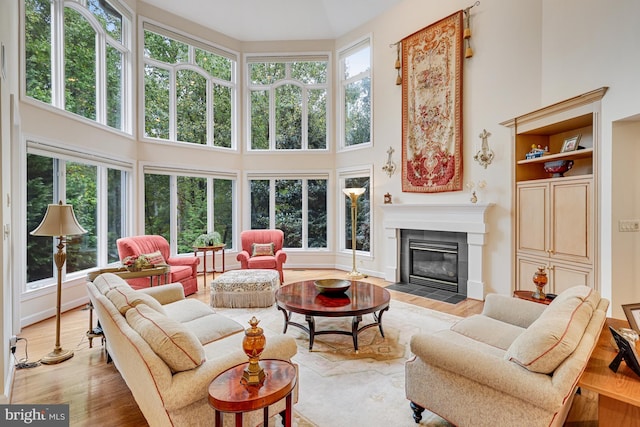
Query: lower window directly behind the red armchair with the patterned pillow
x=297, y=206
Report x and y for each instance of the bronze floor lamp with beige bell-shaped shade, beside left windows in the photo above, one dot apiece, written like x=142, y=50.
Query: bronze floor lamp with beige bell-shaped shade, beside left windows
x=59, y=221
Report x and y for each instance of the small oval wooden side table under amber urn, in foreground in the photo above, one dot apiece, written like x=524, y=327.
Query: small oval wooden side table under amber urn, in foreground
x=228, y=392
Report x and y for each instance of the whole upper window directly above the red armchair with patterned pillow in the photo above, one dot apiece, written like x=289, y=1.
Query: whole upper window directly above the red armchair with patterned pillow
x=287, y=100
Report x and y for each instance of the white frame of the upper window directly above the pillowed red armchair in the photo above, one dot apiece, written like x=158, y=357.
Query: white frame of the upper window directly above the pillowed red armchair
x=251, y=58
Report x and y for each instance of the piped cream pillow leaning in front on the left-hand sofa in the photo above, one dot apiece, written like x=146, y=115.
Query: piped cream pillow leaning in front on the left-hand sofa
x=169, y=339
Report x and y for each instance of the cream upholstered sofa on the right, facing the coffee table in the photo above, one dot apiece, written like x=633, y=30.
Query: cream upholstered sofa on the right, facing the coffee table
x=517, y=363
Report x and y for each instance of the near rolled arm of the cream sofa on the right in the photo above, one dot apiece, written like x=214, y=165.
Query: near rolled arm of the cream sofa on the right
x=487, y=369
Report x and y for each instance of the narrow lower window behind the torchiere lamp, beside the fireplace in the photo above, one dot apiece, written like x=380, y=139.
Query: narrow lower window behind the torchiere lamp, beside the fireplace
x=363, y=219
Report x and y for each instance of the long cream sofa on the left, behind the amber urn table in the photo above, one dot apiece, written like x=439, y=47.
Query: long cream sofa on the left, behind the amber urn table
x=169, y=348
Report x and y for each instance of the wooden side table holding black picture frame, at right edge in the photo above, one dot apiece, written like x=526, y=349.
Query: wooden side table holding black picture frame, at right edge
x=618, y=392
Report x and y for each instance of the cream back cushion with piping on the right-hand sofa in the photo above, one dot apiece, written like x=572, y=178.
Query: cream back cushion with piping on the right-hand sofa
x=556, y=333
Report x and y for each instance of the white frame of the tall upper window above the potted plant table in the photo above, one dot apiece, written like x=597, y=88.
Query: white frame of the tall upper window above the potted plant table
x=193, y=42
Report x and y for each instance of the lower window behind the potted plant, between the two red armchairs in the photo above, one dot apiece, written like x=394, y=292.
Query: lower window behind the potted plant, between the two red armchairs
x=180, y=207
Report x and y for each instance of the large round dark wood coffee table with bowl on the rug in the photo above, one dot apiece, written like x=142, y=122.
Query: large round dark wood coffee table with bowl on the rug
x=361, y=298
